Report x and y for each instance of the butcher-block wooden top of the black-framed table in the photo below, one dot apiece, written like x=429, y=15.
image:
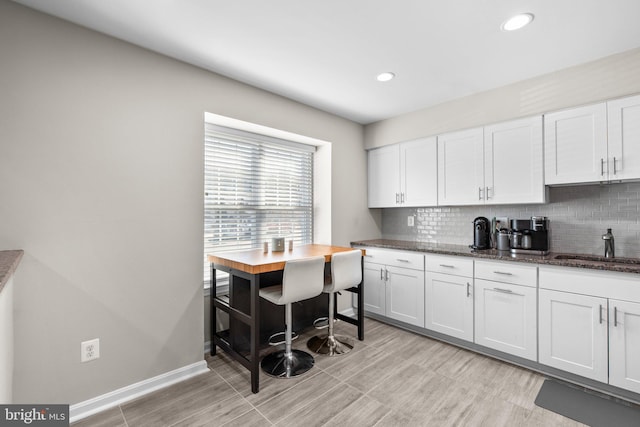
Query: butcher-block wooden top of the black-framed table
x=256, y=261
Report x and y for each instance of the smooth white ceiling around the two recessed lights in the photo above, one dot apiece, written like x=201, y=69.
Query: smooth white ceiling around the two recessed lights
x=326, y=53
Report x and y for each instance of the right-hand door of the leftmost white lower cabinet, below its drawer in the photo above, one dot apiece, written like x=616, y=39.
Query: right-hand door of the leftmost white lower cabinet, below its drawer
x=405, y=295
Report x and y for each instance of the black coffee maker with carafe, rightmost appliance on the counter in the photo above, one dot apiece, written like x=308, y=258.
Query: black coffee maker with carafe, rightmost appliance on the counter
x=532, y=236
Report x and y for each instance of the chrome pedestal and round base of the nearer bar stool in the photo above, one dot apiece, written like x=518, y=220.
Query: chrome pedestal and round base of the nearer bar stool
x=287, y=363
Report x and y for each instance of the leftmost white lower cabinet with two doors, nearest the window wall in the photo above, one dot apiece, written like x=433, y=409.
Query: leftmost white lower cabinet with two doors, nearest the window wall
x=394, y=285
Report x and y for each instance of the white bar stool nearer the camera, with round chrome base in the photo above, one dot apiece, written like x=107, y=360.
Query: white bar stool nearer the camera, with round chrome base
x=302, y=279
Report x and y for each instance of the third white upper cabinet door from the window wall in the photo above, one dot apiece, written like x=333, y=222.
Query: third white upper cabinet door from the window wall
x=461, y=168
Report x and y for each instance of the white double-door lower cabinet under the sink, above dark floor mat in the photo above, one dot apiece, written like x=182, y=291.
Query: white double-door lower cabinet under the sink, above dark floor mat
x=590, y=324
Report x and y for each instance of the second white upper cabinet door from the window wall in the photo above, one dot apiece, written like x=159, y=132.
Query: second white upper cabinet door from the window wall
x=419, y=172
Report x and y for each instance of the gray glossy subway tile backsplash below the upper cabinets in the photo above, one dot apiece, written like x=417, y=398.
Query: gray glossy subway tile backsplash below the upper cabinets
x=579, y=216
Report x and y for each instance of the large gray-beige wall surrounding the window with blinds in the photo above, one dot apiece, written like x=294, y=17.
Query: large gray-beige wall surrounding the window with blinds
x=101, y=175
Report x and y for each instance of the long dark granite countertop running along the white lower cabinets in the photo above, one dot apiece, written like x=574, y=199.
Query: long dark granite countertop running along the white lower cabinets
x=623, y=265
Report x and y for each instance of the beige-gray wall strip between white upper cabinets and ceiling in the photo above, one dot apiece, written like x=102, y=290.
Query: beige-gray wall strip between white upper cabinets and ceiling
x=606, y=78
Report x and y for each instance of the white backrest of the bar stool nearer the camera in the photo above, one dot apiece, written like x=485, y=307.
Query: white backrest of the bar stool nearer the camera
x=302, y=279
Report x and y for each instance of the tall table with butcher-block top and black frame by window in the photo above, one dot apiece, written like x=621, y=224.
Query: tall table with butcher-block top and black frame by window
x=248, y=272
